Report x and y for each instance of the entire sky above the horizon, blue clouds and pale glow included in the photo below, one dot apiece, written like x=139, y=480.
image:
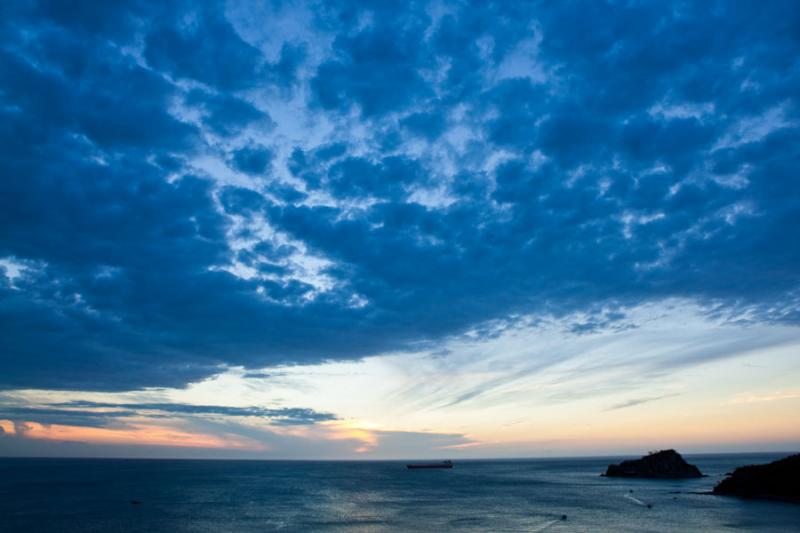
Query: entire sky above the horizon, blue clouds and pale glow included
x=333, y=230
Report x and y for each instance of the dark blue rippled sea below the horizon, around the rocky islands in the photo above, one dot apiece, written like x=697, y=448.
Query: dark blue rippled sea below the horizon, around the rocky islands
x=553, y=495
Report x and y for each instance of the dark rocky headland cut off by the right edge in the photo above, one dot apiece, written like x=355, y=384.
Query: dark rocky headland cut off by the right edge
x=778, y=480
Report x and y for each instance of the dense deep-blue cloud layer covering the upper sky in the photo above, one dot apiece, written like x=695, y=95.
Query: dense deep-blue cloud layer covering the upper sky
x=390, y=176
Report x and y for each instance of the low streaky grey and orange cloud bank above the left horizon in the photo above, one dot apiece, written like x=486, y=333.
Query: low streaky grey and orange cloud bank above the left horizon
x=144, y=429
